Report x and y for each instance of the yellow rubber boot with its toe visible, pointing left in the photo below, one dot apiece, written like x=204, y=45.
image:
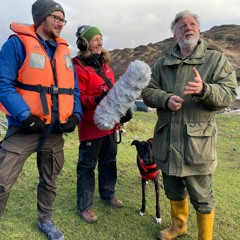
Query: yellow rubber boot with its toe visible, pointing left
x=179, y=214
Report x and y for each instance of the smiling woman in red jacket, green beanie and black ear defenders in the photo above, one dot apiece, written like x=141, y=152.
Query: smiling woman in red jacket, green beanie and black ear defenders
x=96, y=146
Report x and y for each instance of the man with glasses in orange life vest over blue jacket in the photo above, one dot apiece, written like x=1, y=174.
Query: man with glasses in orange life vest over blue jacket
x=39, y=91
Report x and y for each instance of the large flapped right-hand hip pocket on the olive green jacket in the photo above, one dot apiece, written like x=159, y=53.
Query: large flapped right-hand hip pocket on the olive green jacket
x=200, y=143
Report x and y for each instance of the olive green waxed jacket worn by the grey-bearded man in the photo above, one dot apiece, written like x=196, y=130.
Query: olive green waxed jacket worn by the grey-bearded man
x=185, y=140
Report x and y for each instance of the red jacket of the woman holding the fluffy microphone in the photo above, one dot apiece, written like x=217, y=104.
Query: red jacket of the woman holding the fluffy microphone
x=91, y=85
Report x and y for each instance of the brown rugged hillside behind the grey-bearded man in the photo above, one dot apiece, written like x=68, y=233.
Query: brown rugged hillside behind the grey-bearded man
x=225, y=38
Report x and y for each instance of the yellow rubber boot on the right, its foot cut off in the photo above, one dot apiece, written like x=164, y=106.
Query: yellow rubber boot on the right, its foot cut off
x=205, y=225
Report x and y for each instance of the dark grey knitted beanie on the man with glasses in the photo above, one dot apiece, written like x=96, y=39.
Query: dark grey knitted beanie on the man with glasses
x=42, y=8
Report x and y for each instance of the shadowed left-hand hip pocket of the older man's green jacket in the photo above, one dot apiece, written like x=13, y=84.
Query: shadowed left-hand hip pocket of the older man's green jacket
x=161, y=141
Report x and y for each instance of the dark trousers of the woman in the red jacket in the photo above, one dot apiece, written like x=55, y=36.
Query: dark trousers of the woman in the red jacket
x=101, y=151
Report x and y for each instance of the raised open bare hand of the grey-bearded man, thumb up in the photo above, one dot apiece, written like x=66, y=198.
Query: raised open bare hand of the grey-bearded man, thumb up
x=195, y=87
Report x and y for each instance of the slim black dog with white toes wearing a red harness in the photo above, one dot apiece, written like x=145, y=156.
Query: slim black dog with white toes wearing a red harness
x=149, y=171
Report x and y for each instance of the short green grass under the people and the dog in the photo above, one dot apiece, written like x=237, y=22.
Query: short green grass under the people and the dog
x=20, y=219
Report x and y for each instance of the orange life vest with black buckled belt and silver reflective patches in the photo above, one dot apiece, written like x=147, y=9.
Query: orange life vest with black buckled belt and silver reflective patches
x=45, y=84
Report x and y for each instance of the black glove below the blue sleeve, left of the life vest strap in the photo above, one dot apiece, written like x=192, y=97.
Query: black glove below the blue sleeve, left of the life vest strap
x=33, y=124
